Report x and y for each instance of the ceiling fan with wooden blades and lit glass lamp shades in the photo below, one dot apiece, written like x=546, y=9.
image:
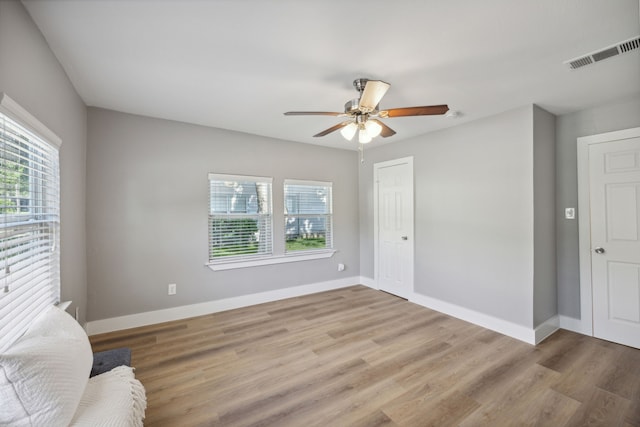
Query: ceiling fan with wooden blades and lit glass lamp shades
x=363, y=113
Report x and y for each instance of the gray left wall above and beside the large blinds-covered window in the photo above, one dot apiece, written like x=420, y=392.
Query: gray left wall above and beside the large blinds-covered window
x=32, y=76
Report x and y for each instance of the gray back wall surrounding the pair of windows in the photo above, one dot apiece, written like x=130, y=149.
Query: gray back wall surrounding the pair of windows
x=147, y=204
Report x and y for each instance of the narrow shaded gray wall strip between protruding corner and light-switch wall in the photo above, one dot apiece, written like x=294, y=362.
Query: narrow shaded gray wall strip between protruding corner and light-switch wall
x=545, y=292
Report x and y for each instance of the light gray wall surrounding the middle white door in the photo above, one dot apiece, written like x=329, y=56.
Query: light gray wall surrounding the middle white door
x=473, y=214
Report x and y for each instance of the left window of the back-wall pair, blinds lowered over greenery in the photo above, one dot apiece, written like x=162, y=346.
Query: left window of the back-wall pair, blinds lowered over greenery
x=240, y=220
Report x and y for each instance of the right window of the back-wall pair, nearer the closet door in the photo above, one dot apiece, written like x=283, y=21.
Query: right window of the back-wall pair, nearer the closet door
x=307, y=215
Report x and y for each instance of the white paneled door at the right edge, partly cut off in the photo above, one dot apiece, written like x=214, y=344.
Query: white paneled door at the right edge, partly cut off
x=614, y=187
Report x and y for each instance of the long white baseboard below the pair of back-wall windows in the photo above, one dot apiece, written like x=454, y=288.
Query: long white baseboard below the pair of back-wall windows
x=183, y=312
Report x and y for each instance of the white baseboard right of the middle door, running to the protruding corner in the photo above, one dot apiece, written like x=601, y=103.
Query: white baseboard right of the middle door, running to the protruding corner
x=502, y=326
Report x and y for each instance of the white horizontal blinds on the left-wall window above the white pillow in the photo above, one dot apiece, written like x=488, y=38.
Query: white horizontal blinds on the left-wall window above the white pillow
x=29, y=220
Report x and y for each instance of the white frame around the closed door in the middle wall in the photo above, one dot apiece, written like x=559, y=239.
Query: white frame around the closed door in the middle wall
x=376, y=236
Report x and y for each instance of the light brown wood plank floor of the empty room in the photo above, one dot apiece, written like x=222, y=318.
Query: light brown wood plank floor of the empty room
x=360, y=357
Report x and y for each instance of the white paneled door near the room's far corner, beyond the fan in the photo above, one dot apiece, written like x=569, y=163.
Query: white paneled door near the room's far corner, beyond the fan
x=394, y=226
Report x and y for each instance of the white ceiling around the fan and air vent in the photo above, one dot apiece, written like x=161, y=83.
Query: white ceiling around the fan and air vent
x=240, y=64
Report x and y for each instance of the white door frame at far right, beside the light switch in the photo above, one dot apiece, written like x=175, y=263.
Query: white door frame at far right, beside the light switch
x=584, y=220
